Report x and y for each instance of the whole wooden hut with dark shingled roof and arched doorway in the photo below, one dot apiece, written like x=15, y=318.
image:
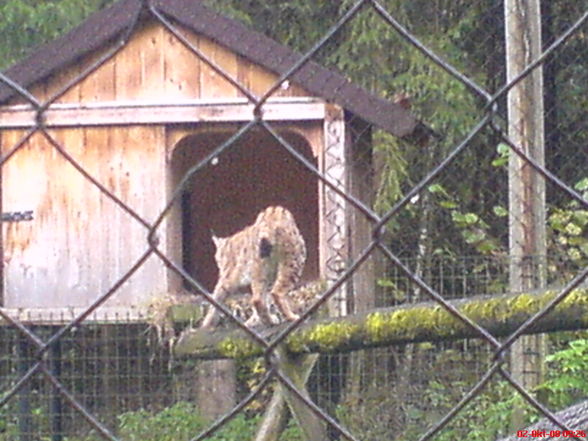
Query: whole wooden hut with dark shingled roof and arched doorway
x=131, y=112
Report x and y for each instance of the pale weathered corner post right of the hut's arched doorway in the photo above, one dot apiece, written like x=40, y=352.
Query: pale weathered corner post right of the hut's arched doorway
x=345, y=231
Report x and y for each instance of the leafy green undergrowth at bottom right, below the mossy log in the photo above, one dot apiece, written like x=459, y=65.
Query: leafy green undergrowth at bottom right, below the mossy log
x=380, y=415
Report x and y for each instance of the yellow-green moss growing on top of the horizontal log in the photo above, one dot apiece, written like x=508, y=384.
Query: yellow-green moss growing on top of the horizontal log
x=416, y=323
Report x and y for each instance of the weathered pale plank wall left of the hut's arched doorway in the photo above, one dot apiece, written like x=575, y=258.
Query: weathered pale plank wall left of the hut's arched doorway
x=80, y=241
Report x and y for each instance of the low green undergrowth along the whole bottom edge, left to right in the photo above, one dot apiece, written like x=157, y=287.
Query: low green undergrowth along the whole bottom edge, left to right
x=381, y=414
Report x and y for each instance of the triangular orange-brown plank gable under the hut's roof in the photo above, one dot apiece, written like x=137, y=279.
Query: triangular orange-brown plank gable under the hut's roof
x=155, y=65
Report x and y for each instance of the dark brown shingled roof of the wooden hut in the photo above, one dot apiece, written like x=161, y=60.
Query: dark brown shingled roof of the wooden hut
x=109, y=23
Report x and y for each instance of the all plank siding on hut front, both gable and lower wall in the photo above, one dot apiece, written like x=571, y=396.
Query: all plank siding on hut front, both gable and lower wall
x=80, y=242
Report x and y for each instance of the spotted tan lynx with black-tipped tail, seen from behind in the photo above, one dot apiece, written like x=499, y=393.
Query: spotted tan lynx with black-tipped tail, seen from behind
x=268, y=257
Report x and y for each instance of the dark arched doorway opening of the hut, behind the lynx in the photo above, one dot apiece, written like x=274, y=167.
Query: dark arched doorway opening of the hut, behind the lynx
x=227, y=195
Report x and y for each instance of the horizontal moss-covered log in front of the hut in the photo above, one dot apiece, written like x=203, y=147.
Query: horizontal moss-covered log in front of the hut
x=499, y=315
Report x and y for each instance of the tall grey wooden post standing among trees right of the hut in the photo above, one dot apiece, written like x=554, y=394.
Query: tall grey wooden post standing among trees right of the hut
x=527, y=233
